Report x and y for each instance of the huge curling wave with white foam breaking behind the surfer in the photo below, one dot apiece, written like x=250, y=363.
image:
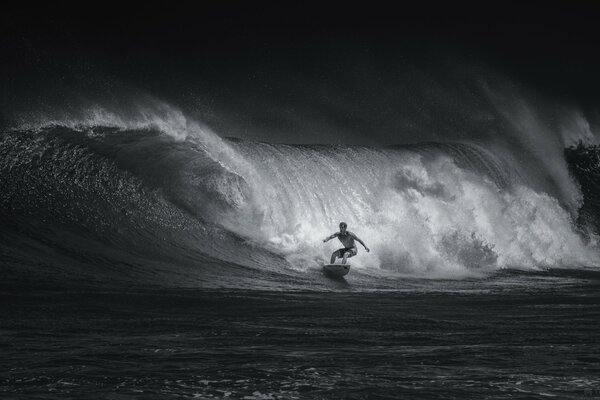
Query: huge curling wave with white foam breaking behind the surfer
x=168, y=203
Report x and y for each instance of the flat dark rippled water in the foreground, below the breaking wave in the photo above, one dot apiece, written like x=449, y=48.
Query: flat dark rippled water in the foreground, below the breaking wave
x=502, y=344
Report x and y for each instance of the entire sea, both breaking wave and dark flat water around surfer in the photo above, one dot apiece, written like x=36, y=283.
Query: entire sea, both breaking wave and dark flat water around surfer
x=153, y=258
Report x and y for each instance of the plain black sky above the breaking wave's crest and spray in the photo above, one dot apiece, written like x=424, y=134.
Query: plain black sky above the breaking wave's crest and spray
x=255, y=68
